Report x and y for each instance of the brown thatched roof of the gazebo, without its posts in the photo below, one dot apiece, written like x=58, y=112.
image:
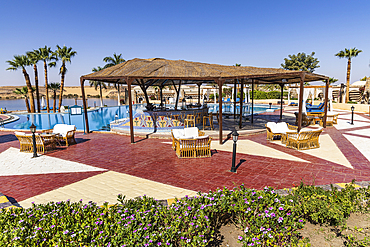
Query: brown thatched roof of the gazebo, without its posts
x=190, y=72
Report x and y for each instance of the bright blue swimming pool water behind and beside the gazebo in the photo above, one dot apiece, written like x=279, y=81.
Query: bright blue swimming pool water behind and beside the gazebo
x=100, y=119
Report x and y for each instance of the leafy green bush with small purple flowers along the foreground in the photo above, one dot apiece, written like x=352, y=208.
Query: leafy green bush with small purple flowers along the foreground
x=266, y=218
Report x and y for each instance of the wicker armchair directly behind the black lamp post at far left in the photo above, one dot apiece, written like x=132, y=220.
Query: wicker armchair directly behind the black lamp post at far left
x=44, y=143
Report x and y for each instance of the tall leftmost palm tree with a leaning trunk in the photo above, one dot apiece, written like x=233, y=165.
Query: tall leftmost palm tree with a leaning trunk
x=21, y=61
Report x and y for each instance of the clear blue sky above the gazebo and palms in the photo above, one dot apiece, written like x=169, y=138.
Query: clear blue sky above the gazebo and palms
x=253, y=33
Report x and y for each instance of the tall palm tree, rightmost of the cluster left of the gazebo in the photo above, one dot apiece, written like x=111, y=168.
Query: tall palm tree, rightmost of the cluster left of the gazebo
x=65, y=54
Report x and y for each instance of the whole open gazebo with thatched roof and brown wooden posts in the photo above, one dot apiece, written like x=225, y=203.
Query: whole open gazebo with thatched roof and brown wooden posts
x=161, y=72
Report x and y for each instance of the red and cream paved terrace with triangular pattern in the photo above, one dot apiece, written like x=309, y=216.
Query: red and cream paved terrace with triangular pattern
x=101, y=166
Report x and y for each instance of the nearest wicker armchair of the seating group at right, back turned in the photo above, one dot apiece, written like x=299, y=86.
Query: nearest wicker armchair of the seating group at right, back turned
x=304, y=140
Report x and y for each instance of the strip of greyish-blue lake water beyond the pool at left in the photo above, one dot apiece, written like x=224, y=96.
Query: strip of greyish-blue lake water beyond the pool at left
x=20, y=104
